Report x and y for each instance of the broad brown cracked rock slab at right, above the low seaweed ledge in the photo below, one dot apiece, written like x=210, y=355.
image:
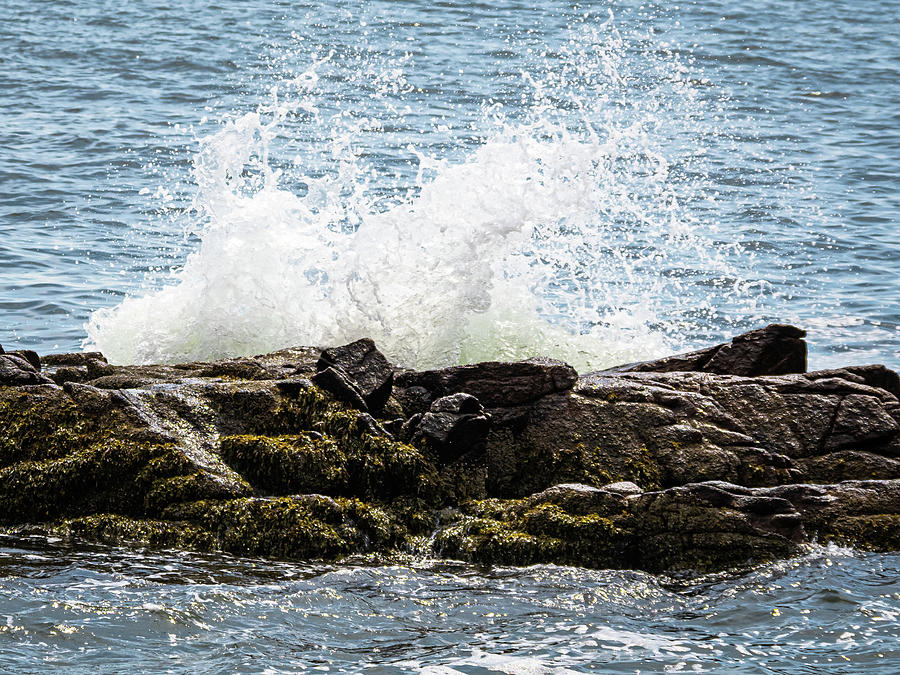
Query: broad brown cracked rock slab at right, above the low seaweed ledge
x=666, y=429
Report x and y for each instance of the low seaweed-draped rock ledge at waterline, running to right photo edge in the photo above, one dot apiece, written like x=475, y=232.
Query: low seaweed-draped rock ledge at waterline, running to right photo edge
x=695, y=526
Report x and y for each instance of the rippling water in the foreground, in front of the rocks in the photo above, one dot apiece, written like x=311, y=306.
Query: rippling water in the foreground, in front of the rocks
x=110, y=611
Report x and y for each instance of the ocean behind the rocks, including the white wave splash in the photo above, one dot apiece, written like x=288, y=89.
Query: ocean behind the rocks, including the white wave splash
x=596, y=181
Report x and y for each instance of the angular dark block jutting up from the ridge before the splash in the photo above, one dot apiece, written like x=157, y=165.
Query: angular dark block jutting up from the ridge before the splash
x=366, y=367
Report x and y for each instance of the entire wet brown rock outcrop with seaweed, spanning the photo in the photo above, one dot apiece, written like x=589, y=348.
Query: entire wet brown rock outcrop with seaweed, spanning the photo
x=718, y=458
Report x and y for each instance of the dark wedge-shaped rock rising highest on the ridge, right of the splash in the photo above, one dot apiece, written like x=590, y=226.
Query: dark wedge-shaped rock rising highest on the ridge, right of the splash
x=777, y=349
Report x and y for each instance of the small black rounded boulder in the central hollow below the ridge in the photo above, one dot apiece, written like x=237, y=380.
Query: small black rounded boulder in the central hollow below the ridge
x=455, y=425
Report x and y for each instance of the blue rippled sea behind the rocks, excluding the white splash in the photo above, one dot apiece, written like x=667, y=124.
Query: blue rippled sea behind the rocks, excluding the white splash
x=102, y=106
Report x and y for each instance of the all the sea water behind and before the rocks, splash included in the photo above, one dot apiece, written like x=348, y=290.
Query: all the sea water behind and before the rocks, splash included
x=596, y=181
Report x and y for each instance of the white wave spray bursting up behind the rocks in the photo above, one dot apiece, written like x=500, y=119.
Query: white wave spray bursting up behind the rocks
x=566, y=232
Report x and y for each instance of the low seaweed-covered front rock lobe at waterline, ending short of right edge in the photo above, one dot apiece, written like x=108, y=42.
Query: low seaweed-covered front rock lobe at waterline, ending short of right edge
x=702, y=526
